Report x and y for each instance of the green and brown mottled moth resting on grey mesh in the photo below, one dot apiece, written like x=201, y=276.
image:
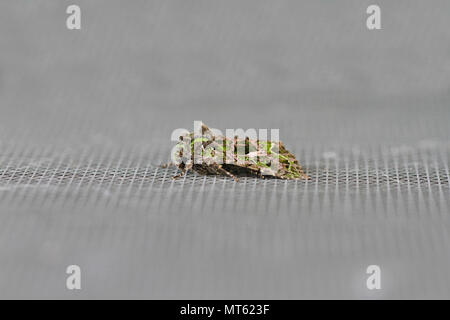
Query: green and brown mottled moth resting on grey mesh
x=214, y=154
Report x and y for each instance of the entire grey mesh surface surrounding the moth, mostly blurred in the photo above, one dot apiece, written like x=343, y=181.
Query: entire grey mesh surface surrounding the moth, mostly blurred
x=86, y=118
